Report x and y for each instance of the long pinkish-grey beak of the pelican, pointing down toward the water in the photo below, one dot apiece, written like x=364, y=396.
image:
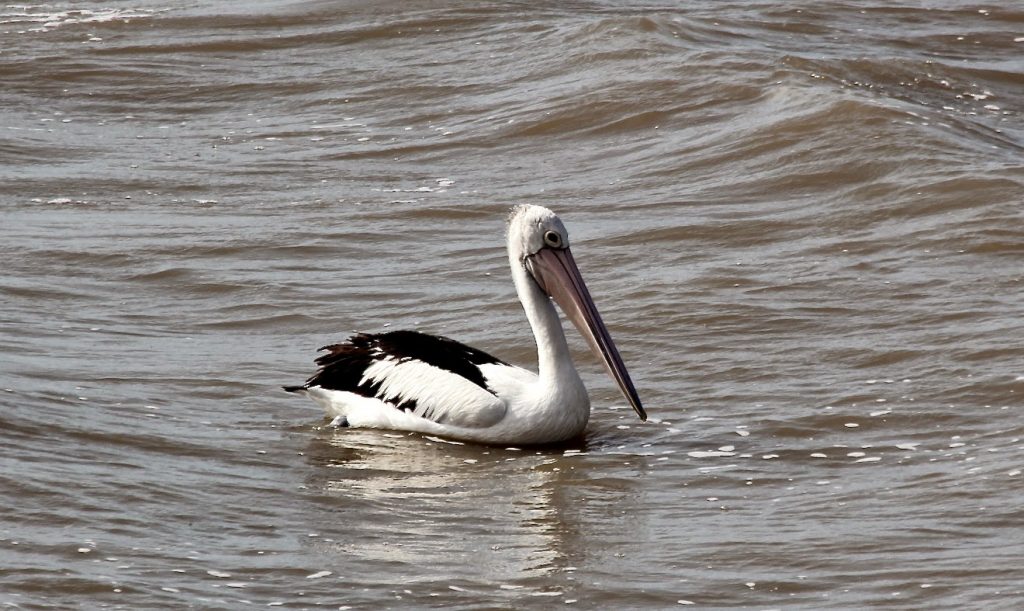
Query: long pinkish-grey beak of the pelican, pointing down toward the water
x=557, y=273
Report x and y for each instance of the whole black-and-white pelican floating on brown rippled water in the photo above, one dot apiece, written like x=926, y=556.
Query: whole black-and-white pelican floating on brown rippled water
x=410, y=381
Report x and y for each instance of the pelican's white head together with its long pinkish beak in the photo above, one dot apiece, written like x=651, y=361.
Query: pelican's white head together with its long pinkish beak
x=539, y=242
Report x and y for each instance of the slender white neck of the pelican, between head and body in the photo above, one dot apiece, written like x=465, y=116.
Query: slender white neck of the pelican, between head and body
x=553, y=360
